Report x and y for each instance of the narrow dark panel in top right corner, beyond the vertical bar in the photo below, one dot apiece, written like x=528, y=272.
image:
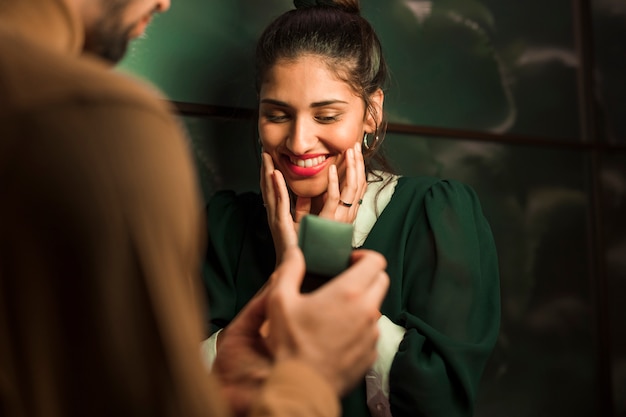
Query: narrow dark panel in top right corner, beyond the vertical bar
x=609, y=23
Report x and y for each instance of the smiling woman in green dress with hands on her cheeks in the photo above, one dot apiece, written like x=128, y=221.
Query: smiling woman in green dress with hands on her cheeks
x=321, y=75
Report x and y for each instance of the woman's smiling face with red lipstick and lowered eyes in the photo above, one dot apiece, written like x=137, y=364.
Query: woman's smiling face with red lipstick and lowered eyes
x=308, y=118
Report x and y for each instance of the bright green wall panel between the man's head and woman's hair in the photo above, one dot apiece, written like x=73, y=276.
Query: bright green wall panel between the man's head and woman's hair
x=202, y=51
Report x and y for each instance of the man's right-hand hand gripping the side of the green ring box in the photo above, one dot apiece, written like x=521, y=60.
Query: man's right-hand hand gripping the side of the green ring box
x=333, y=329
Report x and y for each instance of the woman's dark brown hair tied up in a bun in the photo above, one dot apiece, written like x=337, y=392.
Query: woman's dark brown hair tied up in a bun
x=335, y=31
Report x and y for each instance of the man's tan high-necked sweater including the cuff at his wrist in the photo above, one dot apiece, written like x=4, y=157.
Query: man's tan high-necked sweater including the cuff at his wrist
x=100, y=242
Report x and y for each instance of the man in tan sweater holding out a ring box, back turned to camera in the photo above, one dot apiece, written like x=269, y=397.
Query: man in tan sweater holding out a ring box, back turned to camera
x=100, y=246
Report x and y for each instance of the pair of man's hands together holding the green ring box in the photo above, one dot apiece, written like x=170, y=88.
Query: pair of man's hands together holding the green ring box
x=333, y=329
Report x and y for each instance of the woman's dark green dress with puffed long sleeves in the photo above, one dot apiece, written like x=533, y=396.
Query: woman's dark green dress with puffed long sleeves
x=444, y=287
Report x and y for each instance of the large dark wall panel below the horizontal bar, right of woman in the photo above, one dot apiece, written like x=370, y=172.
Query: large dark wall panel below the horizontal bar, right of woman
x=536, y=202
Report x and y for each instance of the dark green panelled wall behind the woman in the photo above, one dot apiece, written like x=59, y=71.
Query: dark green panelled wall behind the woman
x=537, y=97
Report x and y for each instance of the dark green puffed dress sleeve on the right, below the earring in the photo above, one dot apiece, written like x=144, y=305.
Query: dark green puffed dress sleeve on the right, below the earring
x=451, y=307
